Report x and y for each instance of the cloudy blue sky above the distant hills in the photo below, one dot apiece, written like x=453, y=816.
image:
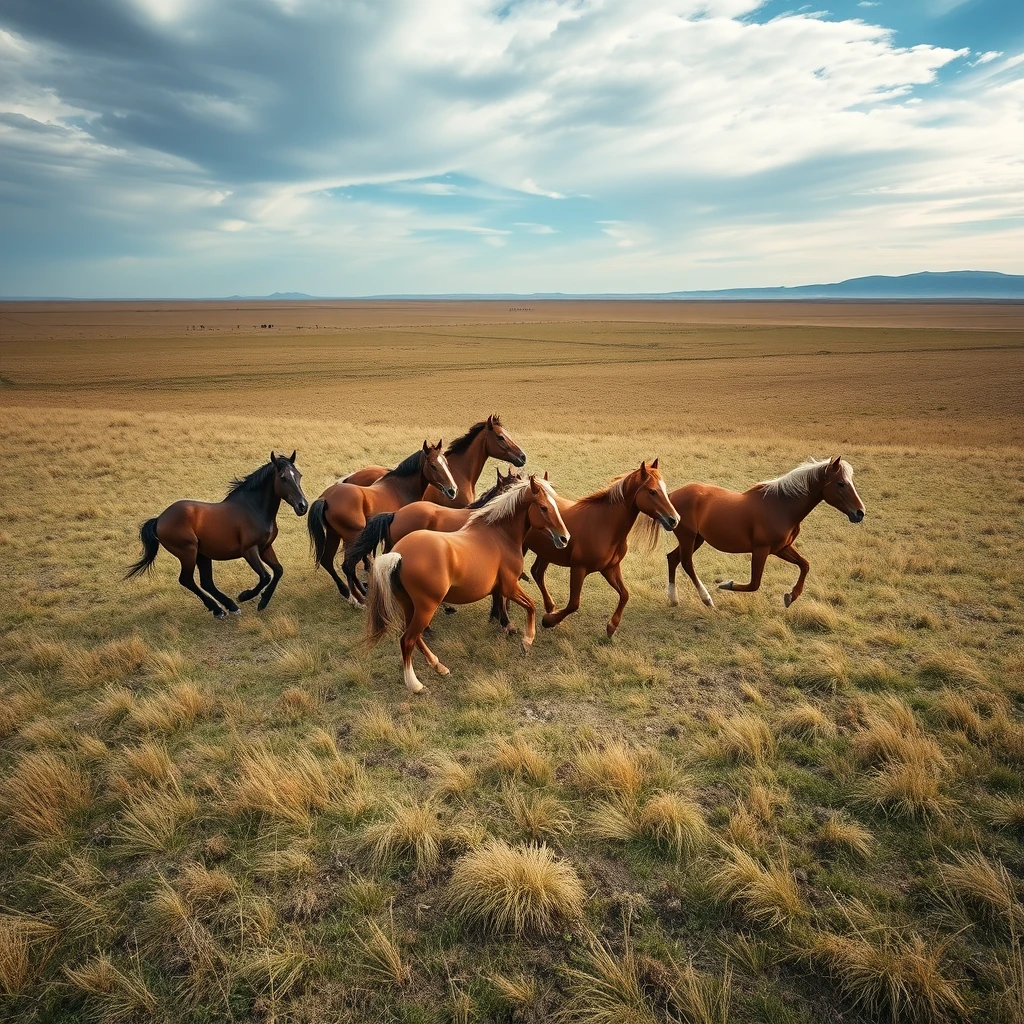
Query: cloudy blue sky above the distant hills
x=217, y=148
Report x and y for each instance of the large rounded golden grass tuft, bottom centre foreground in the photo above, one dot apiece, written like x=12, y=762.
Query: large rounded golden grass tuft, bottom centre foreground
x=524, y=890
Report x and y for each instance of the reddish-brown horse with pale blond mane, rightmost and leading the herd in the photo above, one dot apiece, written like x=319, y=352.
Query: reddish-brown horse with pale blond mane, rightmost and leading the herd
x=764, y=521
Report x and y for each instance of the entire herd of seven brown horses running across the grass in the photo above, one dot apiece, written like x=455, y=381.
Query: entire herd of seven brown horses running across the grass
x=444, y=545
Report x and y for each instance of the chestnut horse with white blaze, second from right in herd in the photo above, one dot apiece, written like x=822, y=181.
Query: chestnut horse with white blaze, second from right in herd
x=601, y=526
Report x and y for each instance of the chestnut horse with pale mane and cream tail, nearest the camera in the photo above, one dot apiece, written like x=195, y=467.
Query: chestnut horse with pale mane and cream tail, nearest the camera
x=485, y=558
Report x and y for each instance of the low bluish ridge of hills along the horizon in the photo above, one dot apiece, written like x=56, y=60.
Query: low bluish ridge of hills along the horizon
x=952, y=285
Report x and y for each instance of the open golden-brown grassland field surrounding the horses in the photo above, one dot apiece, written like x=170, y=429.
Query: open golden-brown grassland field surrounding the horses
x=753, y=815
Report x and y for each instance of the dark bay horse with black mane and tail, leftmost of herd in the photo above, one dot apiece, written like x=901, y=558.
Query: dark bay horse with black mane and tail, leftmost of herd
x=243, y=526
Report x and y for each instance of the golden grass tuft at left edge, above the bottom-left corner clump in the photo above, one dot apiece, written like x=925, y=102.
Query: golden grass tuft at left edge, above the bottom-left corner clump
x=42, y=794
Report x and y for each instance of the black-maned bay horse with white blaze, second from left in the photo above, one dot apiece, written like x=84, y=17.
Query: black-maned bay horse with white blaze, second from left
x=342, y=513
